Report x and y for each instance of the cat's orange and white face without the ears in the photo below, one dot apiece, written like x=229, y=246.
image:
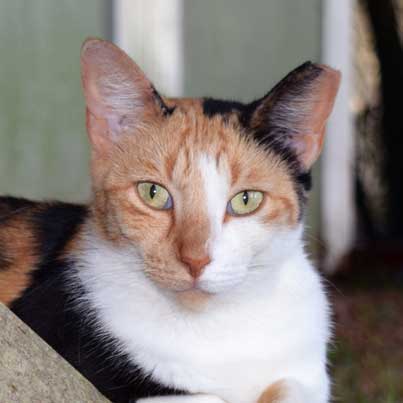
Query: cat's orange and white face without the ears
x=202, y=163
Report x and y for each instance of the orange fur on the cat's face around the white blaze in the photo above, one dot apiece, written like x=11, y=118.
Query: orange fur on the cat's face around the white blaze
x=167, y=151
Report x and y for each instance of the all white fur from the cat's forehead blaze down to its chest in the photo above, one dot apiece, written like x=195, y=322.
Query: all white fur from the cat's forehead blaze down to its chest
x=267, y=318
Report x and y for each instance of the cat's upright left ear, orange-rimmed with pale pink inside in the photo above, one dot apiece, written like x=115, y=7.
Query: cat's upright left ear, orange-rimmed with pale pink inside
x=118, y=95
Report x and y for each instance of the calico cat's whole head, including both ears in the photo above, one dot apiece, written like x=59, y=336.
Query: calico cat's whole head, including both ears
x=207, y=192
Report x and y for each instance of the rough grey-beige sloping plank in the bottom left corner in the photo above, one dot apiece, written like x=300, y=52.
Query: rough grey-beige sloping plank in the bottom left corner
x=32, y=372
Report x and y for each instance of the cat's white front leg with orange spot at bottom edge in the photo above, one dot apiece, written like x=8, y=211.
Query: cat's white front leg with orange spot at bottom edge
x=287, y=391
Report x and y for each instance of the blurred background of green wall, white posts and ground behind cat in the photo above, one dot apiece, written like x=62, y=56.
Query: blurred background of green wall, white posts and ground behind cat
x=237, y=49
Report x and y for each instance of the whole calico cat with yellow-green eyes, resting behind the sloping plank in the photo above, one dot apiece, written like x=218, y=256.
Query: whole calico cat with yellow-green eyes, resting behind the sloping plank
x=186, y=274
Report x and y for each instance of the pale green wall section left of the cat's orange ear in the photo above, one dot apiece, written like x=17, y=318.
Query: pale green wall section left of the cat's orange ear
x=43, y=145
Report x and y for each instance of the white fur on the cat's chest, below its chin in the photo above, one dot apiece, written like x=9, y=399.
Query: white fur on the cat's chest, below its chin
x=240, y=344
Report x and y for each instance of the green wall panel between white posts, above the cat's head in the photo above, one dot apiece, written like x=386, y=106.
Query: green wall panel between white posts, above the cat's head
x=239, y=49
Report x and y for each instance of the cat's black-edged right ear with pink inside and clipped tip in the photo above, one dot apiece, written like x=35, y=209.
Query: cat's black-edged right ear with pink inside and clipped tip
x=295, y=111
